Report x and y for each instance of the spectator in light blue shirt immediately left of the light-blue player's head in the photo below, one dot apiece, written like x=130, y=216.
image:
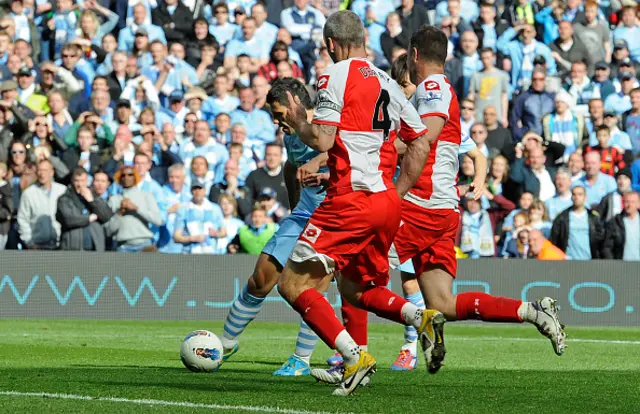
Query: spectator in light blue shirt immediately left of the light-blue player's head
x=257, y=122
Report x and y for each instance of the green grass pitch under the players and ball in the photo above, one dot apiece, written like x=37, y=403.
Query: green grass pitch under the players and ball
x=490, y=369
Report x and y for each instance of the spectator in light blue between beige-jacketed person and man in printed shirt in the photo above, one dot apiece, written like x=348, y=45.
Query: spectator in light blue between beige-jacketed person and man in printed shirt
x=177, y=196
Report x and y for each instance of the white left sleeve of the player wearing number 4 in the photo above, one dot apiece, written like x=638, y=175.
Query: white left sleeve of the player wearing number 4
x=330, y=96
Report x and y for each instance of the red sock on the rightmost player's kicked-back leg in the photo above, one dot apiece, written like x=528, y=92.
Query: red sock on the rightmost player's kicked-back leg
x=477, y=305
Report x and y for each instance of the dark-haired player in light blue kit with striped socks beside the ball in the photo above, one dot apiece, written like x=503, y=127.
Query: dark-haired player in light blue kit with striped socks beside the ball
x=311, y=171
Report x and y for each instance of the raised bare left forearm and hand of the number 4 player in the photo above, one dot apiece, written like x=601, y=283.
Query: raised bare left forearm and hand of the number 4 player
x=317, y=136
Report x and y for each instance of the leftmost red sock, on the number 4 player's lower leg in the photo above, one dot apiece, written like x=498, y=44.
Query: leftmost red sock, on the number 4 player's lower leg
x=319, y=315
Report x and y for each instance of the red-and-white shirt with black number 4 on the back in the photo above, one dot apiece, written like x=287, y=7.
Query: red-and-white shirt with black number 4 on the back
x=369, y=109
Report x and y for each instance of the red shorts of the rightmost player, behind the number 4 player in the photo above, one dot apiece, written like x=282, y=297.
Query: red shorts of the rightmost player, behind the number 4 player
x=428, y=237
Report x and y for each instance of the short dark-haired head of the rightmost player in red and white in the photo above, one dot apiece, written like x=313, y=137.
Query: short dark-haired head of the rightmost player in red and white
x=428, y=46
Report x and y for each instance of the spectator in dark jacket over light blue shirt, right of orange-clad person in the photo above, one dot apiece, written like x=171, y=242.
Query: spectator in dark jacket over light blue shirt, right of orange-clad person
x=577, y=231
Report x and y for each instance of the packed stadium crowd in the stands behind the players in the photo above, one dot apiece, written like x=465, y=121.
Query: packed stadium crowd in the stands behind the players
x=143, y=125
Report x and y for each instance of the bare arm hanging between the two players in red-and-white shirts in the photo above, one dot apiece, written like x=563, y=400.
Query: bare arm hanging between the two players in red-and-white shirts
x=414, y=159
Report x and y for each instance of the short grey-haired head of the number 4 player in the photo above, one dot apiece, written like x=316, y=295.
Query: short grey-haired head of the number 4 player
x=343, y=33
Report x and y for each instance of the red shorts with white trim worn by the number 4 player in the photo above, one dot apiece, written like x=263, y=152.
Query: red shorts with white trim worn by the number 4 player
x=352, y=233
